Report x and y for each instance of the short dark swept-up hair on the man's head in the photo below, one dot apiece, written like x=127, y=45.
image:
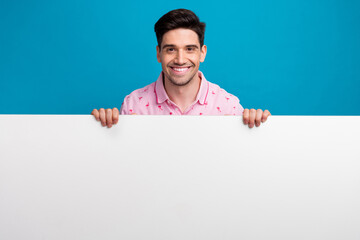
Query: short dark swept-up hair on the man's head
x=179, y=18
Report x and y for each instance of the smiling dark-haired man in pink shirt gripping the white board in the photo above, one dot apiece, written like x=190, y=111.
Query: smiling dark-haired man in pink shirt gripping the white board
x=181, y=88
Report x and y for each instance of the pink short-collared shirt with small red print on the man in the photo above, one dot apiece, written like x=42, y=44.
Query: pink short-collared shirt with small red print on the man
x=153, y=100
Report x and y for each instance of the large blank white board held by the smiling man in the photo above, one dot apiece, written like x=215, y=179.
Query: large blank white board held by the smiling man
x=161, y=177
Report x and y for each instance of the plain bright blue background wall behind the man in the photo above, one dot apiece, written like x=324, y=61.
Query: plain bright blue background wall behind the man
x=299, y=57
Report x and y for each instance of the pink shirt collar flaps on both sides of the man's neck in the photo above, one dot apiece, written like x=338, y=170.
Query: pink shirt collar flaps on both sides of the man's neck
x=161, y=95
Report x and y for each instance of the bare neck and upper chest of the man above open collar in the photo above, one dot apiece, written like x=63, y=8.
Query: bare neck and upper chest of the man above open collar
x=183, y=96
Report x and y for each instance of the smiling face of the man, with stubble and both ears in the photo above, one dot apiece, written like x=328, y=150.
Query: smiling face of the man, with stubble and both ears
x=180, y=55
